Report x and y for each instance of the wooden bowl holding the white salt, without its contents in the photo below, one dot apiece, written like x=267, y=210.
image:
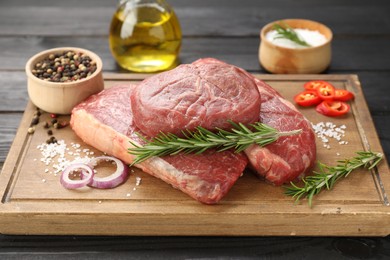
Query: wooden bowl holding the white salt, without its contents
x=283, y=60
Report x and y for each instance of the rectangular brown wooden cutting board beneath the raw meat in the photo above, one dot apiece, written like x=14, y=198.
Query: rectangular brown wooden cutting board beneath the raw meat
x=34, y=202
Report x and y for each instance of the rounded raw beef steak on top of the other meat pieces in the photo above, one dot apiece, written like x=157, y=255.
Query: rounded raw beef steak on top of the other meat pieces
x=206, y=94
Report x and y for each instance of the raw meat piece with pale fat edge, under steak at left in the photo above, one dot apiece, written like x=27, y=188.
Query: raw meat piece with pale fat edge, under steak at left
x=105, y=121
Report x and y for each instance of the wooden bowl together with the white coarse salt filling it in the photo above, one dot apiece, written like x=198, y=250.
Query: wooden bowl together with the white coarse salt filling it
x=282, y=56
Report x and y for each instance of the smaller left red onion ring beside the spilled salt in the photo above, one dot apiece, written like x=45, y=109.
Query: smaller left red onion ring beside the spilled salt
x=75, y=184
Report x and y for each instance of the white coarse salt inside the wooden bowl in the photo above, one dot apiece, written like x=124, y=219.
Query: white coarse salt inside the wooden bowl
x=313, y=38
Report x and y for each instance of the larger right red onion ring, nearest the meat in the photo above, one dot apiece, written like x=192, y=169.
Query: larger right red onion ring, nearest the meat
x=112, y=181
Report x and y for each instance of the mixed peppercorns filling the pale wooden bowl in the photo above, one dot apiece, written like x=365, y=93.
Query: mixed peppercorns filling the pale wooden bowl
x=64, y=67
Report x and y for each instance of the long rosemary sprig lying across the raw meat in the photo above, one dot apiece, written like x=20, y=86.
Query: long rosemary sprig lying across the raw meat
x=239, y=138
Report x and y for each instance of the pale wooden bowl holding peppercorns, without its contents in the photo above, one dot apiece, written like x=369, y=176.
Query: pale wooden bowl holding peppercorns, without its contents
x=61, y=97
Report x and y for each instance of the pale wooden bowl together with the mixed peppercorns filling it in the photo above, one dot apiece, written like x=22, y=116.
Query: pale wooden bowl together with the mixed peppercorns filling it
x=60, y=78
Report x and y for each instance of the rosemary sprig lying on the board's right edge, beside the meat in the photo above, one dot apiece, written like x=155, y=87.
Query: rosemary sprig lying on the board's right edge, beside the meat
x=329, y=175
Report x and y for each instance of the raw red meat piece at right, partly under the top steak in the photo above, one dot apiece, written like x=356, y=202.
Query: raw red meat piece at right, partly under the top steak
x=290, y=156
